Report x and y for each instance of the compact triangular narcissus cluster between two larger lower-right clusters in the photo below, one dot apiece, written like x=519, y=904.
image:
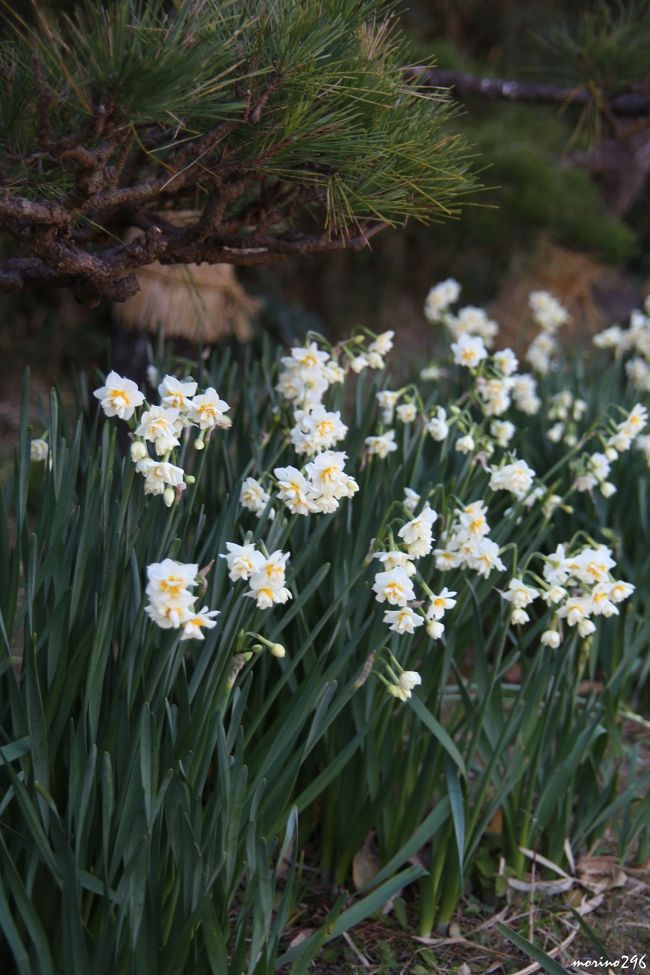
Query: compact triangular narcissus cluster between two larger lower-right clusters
x=467, y=545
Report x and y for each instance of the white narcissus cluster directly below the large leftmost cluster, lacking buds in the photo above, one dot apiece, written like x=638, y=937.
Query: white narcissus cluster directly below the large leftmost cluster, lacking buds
x=171, y=600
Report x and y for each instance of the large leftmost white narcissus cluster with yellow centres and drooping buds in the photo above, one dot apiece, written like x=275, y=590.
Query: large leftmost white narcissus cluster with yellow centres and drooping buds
x=162, y=426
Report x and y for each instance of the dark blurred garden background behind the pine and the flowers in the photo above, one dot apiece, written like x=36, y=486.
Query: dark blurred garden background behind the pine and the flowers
x=543, y=219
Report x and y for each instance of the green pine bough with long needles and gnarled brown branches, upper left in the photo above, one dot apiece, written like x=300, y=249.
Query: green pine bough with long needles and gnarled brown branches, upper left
x=237, y=131
